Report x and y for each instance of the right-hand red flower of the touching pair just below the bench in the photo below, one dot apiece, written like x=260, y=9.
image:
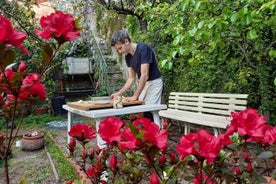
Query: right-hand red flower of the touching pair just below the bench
x=208, y=145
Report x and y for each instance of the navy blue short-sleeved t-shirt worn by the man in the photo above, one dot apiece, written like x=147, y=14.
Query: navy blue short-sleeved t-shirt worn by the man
x=143, y=54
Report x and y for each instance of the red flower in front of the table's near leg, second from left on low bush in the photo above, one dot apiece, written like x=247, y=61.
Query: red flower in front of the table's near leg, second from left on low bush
x=109, y=129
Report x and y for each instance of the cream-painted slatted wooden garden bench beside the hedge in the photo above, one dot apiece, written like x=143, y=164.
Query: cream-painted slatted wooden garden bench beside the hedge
x=211, y=110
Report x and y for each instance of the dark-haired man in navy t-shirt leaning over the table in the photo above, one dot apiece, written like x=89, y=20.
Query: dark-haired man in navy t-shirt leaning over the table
x=141, y=62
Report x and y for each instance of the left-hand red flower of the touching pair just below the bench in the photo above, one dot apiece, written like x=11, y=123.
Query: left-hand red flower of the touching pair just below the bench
x=186, y=146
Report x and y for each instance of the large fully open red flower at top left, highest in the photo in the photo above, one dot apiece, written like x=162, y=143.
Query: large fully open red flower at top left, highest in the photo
x=60, y=26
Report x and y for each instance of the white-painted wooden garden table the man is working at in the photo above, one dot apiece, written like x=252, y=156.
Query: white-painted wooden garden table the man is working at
x=100, y=114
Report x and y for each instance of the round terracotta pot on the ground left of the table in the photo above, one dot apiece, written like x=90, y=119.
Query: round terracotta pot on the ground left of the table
x=33, y=142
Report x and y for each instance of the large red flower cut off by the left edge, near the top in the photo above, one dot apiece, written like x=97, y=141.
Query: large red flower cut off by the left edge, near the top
x=9, y=36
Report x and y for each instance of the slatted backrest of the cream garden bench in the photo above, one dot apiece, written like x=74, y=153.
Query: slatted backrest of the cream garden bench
x=208, y=103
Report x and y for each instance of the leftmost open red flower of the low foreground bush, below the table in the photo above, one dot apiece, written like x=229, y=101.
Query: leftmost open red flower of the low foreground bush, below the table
x=82, y=132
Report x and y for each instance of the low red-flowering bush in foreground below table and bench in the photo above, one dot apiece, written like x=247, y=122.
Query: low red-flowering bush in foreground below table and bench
x=138, y=152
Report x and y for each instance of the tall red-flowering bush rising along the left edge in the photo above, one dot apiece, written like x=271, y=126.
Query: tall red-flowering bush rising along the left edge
x=19, y=87
